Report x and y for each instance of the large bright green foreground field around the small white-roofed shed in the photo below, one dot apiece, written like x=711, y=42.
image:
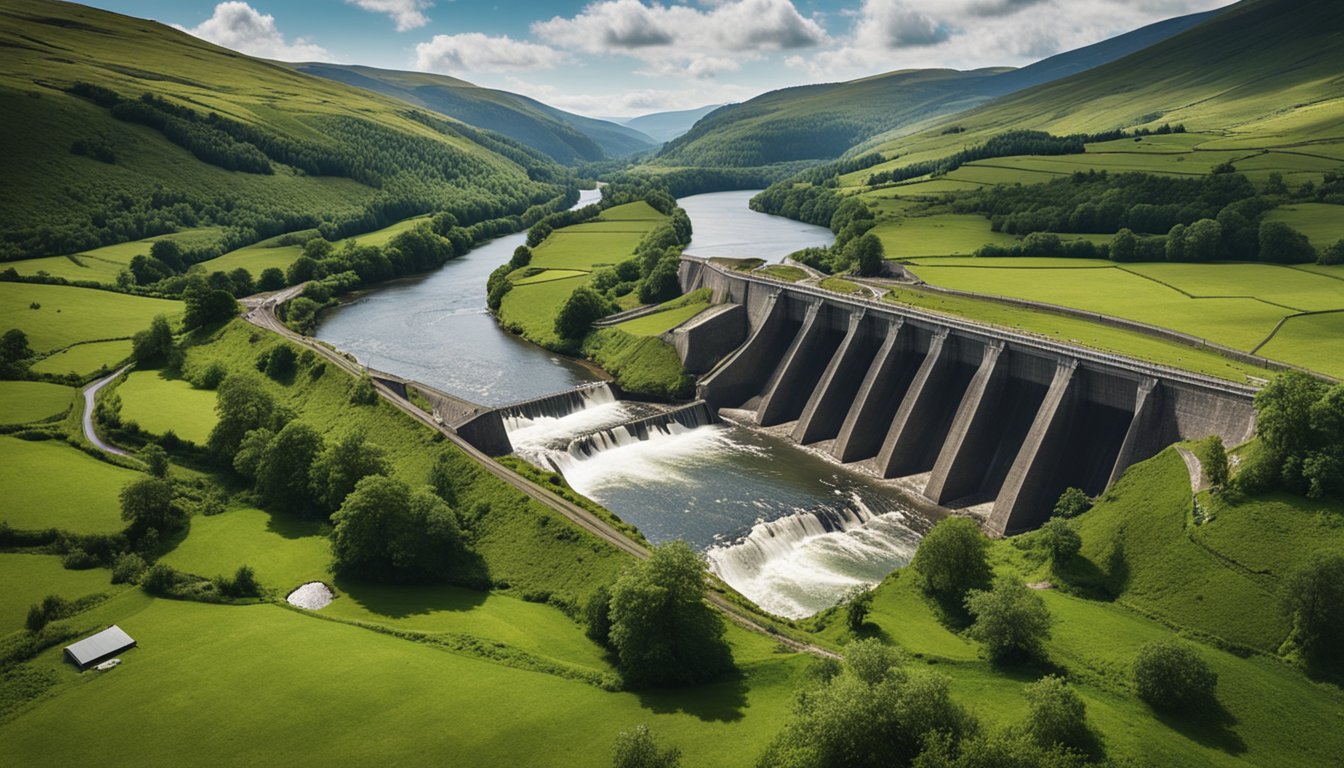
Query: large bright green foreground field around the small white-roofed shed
x=447, y=708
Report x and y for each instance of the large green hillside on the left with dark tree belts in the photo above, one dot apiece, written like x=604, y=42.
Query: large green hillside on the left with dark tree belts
x=224, y=141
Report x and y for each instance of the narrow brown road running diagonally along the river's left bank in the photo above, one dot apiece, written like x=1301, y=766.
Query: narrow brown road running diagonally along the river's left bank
x=263, y=314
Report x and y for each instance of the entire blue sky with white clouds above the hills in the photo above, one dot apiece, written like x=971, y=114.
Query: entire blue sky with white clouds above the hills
x=634, y=57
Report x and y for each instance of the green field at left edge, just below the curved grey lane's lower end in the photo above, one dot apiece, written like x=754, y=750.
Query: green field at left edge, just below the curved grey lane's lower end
x=49, y=485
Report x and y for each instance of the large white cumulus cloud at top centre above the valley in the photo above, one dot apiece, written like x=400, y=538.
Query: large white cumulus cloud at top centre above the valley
x=683, y=40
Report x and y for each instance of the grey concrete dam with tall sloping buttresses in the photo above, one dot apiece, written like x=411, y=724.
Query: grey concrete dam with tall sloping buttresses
x=976, y=419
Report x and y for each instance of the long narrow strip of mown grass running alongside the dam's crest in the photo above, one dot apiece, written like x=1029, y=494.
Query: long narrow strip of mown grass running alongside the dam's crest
x=1083, y=333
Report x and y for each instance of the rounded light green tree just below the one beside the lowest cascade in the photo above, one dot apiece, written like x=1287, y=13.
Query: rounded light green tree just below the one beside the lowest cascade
x=1011, y=621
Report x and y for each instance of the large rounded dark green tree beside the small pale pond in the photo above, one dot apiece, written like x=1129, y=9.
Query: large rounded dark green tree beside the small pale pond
x=386, y=532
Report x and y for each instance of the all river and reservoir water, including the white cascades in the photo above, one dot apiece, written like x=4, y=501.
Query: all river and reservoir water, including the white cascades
x=787, y=528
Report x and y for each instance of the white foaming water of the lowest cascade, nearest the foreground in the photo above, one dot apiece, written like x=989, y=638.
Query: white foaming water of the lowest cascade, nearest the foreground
x=804, y=563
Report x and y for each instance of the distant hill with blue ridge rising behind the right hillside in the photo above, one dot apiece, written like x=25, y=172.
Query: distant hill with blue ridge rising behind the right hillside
x=823, y=122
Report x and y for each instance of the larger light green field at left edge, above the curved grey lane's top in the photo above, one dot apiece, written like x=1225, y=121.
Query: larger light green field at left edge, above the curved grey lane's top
x=72, y=315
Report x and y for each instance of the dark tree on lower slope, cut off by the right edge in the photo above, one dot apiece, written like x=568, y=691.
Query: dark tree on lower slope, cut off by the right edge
x=1315, y=598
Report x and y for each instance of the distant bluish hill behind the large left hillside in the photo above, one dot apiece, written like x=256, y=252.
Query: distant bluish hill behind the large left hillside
x=564, y=137
